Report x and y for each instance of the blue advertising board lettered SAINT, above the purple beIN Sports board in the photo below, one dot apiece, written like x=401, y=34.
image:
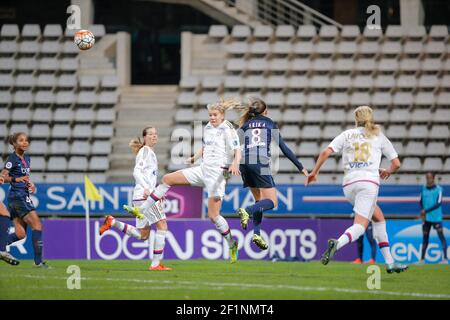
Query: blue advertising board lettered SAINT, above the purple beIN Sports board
x=293, y=200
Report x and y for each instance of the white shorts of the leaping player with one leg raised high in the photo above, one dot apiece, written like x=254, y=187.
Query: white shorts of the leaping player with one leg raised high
x=212, y=178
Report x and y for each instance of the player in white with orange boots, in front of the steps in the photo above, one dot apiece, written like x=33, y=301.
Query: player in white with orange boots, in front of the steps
x=145, y=173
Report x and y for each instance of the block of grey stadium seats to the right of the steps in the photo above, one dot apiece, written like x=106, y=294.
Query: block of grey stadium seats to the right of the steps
x=312, y=79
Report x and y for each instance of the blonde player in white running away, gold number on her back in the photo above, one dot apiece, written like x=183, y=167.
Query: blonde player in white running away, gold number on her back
x=362, y=149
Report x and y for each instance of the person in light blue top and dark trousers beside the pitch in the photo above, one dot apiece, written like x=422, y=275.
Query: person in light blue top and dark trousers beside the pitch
x=431, y=214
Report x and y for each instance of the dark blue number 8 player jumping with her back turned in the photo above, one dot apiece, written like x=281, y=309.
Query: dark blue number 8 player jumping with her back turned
x=258, y=131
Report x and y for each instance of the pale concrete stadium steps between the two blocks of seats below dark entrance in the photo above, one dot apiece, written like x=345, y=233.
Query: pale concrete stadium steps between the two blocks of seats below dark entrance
x=139, y=107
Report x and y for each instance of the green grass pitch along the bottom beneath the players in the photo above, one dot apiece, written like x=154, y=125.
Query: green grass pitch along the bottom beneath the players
x=203, y=279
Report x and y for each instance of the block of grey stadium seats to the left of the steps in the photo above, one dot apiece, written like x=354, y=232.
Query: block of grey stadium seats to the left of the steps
x=69, y=115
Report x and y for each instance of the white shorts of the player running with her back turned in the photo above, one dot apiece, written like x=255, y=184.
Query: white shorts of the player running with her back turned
x=363, y=196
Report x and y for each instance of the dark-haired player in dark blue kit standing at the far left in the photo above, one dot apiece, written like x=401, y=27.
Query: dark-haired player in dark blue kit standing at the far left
x=20, y=205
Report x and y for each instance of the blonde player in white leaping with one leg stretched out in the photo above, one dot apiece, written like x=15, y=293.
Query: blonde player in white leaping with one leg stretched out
x=221, y=156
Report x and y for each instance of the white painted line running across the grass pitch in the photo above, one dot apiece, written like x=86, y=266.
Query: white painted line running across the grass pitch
x=259, y=286
